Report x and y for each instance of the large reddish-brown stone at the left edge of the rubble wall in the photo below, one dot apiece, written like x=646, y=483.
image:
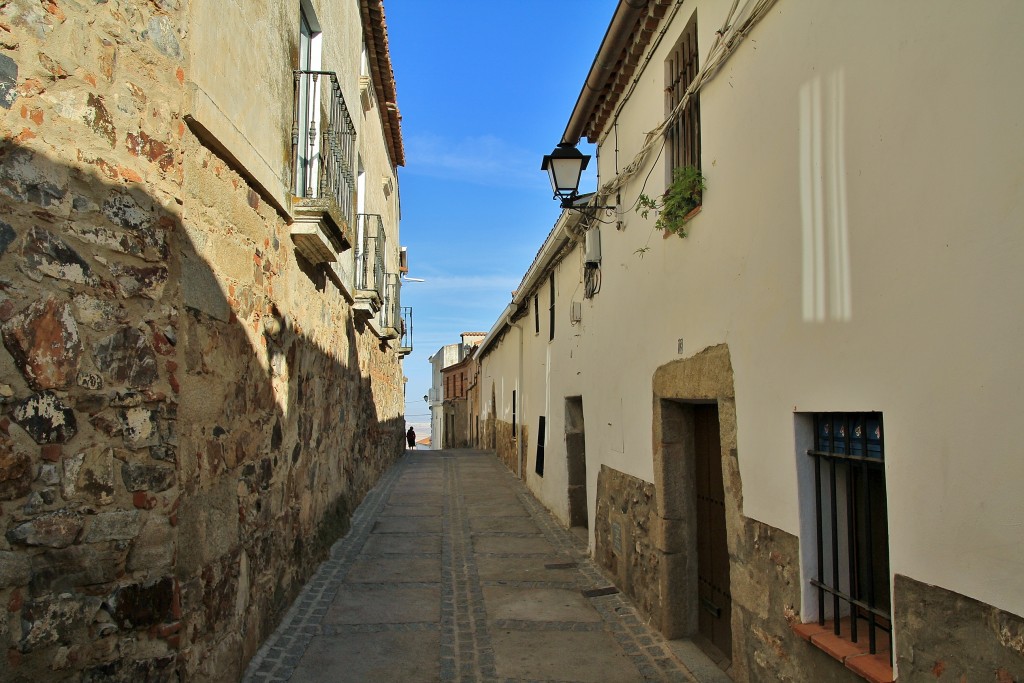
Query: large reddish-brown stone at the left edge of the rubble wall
x=46, y=345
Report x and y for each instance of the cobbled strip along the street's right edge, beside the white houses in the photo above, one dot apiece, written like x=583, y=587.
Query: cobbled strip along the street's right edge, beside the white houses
x=647, y=648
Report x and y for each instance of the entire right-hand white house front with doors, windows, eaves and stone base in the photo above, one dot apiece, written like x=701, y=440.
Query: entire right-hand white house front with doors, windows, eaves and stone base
x=802, y=411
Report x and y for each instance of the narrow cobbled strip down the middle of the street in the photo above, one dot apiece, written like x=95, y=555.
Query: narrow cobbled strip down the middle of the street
x=466, y=651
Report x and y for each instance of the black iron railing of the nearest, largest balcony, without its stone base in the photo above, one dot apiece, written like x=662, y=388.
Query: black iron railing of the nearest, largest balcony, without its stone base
x=323, y=142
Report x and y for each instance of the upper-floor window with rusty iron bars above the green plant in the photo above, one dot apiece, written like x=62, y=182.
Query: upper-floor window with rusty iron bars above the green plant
x=684, y=137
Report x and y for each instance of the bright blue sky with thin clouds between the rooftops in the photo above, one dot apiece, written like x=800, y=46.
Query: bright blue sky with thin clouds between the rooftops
x=486, y=91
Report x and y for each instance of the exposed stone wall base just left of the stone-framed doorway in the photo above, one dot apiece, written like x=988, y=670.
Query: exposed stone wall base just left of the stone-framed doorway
x=623, y=543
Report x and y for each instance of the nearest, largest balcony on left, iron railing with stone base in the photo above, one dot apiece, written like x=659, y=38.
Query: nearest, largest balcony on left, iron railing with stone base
x=323, y=166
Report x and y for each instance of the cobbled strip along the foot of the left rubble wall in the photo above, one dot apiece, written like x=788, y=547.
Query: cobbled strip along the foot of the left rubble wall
x=280, y=655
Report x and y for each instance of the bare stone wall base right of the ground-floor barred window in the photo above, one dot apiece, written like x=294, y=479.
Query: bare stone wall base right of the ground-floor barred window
x=945, y=636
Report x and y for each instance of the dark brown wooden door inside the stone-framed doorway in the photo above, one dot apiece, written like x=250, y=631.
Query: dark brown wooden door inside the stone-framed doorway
x=715, y=601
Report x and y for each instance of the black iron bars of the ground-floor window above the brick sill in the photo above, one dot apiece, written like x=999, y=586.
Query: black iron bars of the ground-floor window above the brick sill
x=852, y=528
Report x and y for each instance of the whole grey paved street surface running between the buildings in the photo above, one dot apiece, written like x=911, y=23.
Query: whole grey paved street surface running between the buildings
x=453, y=572
